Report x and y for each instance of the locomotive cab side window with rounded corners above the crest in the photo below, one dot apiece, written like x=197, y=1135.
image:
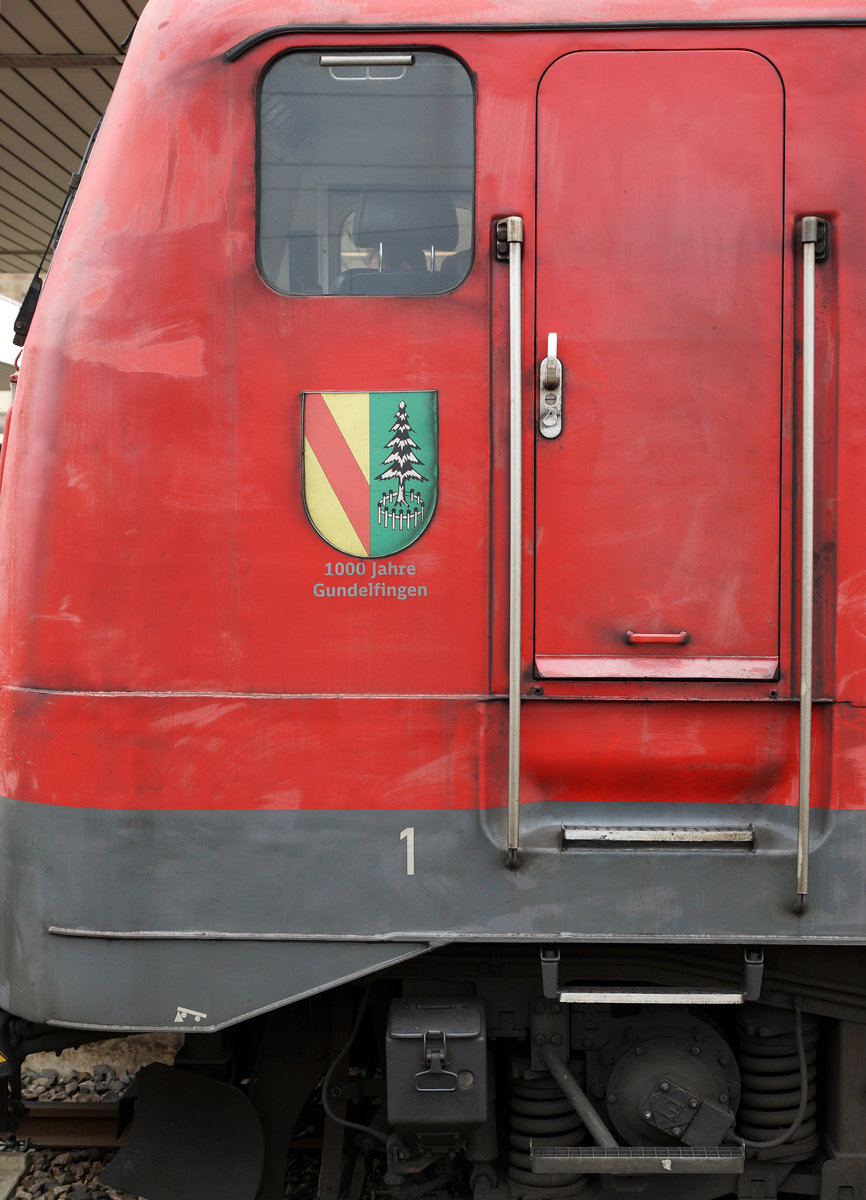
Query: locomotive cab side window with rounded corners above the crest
x=366, y=173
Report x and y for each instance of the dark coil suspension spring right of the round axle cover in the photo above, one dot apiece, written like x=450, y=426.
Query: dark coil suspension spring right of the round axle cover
x=778, y=1061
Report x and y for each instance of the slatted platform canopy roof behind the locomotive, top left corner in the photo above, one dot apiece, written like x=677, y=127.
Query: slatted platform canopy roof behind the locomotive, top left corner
x=59, y=61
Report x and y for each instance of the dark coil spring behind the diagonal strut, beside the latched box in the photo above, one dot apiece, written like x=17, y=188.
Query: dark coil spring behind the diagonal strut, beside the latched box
x=542, y=1114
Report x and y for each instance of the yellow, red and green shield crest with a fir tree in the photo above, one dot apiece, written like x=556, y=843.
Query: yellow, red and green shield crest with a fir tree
x=370, y=469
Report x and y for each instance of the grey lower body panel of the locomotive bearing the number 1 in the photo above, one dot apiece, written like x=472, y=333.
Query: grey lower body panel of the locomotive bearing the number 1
x=195, y=920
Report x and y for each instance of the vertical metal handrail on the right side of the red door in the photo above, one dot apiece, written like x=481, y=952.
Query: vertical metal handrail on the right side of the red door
x=809, y=237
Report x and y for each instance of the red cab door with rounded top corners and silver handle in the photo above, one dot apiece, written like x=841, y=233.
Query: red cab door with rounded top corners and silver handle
x=660, y=247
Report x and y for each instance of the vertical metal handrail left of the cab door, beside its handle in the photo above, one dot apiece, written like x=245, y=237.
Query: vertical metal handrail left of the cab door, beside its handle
x=514, y=230
